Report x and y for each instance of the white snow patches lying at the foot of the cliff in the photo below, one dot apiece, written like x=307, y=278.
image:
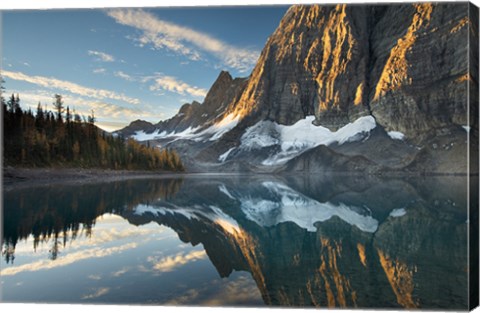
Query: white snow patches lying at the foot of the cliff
x=292, y=140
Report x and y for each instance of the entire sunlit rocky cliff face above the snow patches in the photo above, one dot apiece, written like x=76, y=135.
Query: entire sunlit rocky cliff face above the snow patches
x=407, y=65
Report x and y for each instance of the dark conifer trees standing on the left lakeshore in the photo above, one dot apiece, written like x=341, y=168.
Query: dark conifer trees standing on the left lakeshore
x=67, y=139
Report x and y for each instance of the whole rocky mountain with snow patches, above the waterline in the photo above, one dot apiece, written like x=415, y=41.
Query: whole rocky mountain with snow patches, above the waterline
x=363, y=88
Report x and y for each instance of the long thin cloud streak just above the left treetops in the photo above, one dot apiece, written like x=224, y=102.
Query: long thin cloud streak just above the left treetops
x=53, y=83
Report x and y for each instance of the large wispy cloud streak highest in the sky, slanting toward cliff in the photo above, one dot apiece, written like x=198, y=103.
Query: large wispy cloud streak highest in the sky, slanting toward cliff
x=183, y=40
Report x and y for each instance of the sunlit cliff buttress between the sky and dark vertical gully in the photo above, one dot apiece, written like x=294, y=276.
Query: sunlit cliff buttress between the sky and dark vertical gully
x=315, y=63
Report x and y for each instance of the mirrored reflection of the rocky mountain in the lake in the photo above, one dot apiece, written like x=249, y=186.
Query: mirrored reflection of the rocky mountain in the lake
x=332, y=263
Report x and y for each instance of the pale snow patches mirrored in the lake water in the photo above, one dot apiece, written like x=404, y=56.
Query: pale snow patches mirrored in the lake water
x=276, y=204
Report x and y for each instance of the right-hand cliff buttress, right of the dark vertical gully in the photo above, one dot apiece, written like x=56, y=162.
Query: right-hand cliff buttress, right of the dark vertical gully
x=420, y=73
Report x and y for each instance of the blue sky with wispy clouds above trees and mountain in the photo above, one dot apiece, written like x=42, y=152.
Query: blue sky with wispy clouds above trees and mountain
x=129, y=64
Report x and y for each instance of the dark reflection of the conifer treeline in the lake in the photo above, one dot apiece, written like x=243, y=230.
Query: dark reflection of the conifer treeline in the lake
x=41, y=212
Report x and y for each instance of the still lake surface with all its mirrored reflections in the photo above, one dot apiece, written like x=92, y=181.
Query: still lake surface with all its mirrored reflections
x=242, y=240
